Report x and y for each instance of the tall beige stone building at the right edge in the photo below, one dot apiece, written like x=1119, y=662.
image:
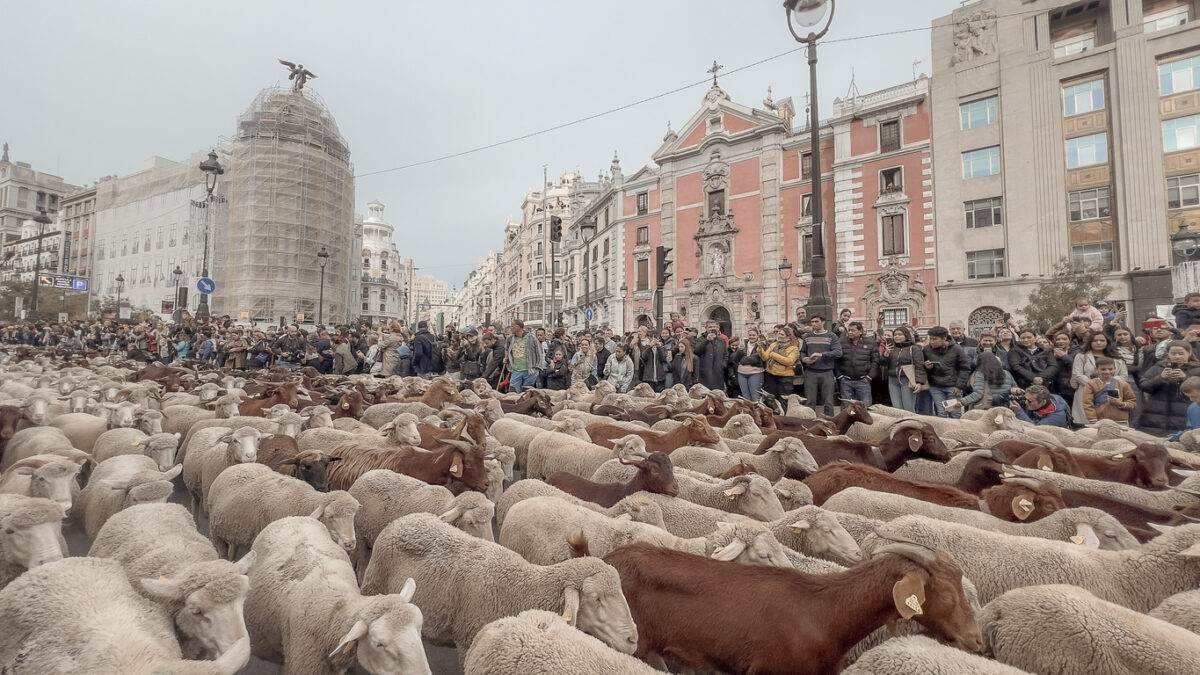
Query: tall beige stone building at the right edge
x=1066, y=130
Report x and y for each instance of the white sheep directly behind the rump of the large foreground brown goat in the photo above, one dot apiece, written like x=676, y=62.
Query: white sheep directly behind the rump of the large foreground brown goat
x=541, y=530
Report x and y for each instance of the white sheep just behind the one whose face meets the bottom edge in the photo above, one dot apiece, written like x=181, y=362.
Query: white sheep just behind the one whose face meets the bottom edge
x=248, y=498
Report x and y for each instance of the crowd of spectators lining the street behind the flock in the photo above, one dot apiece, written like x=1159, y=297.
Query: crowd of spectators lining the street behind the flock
x=1089, y=367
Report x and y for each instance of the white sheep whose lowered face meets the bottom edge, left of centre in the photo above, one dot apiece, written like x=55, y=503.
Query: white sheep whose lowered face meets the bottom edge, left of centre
x=305, y=611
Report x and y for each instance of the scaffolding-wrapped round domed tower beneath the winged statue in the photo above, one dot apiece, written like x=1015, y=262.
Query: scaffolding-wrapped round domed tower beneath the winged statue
x=291, y=188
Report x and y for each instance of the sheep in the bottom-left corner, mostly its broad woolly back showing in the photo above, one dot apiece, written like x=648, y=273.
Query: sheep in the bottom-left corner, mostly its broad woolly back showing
x=81, y=616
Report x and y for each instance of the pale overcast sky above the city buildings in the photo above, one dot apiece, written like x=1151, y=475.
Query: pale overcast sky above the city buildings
x=93, y=88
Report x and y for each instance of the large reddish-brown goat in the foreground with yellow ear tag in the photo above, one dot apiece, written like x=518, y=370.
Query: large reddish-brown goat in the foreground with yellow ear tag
x=740, y=619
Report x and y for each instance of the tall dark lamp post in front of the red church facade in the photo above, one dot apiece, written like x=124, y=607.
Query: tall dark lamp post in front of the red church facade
x=808, y=15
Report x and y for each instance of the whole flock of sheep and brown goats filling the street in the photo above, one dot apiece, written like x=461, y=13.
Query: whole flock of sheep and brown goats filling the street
x=350, y=523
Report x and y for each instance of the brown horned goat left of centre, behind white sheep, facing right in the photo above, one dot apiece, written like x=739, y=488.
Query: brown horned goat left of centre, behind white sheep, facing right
x=453, y=461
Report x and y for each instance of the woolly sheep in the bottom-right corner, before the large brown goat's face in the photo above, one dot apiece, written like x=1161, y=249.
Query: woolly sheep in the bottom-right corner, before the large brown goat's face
x=1063, y=629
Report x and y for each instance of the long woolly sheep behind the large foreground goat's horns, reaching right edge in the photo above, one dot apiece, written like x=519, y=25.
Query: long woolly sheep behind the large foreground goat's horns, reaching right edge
x=1139, y=580
